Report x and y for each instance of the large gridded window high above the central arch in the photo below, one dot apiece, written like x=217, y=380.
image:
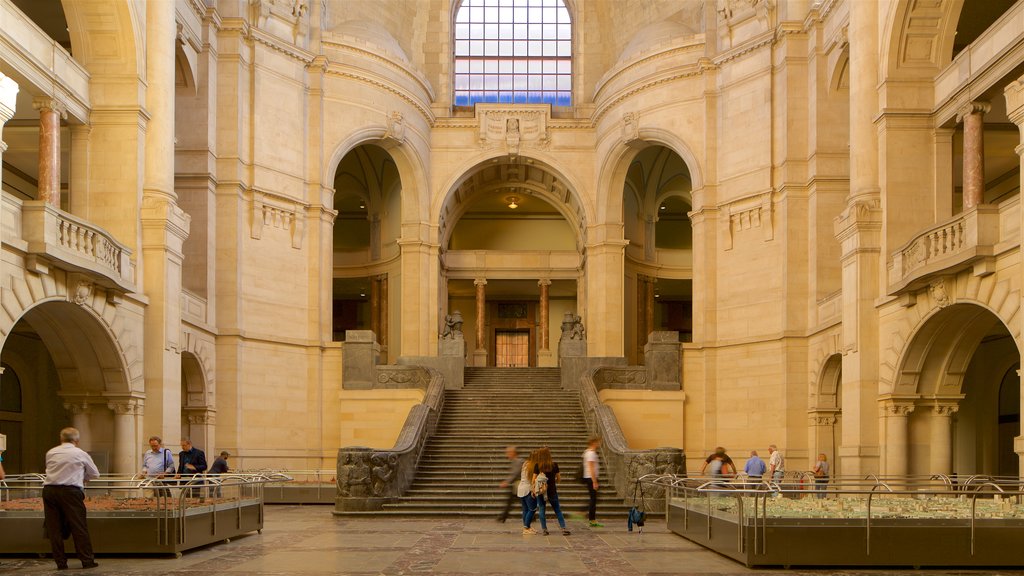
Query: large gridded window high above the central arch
x=514, y=52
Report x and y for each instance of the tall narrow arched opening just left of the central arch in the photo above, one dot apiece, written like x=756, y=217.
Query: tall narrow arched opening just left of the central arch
x=367, y=268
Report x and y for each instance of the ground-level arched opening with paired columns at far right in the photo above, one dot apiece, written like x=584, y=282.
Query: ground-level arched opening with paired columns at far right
x=945, y=414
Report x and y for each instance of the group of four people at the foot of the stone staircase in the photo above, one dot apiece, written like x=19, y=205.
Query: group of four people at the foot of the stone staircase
x=539, y=478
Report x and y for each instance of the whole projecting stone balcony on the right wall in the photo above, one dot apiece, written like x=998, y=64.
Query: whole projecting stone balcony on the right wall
x=971, y=239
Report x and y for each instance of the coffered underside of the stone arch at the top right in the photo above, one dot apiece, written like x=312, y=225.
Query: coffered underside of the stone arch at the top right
x=918, y=37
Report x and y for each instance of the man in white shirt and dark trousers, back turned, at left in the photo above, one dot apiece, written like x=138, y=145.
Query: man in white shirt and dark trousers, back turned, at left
x=68, y=469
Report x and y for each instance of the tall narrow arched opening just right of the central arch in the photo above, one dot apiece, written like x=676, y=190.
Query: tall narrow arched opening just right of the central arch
x=659, y=295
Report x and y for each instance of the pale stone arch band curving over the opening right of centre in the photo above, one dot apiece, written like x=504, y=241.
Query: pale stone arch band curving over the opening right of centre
x=621, y=157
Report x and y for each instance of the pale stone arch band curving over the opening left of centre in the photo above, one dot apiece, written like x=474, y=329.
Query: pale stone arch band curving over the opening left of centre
x=415, y=203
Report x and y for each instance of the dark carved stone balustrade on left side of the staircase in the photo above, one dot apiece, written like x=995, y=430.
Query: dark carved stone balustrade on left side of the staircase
x=369, y=478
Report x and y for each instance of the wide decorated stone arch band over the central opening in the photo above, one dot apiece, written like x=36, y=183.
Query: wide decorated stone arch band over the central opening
x=558, y=187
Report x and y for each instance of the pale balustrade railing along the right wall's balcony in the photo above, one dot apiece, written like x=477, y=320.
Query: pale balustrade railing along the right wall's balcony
x=957, y=243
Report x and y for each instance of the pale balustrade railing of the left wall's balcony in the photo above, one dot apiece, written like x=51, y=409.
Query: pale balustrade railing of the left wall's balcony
x=76, y=245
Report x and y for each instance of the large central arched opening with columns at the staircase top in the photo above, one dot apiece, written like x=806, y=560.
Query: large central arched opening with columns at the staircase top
x=511, y=237
